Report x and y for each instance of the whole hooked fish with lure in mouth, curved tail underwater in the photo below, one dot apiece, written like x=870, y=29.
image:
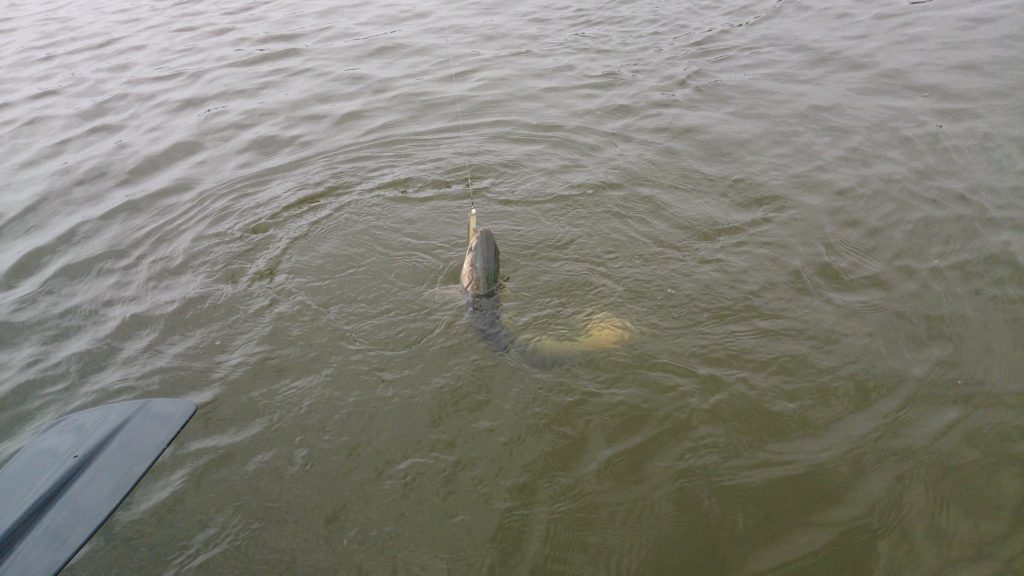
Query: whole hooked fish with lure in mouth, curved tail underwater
x=481, y=281
